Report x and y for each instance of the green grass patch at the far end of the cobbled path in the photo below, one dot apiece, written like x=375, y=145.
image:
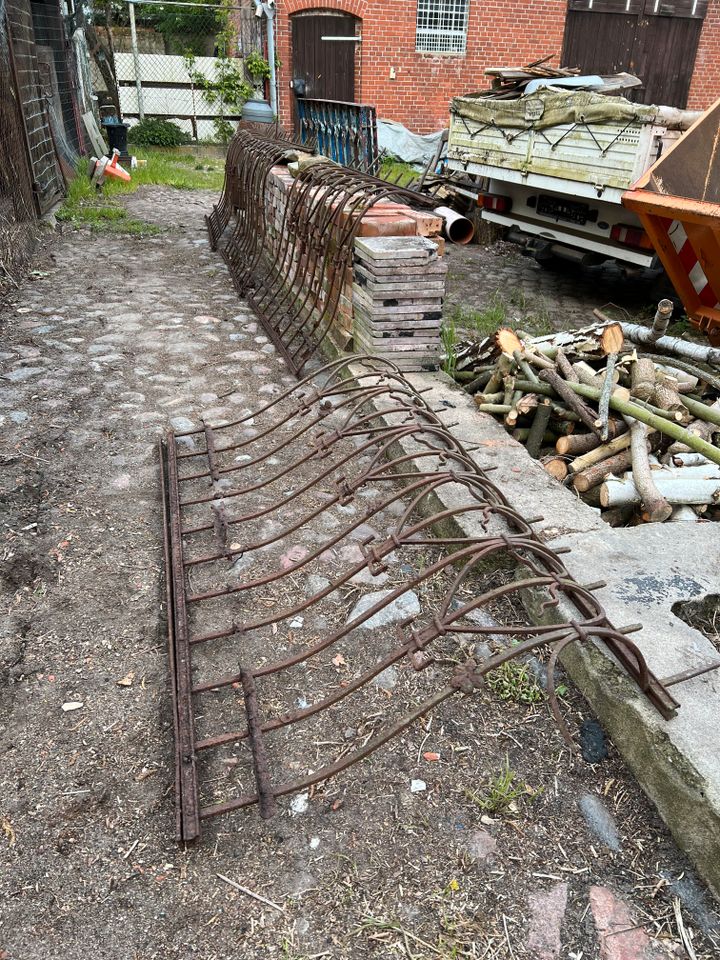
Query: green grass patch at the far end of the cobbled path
x=99, y=211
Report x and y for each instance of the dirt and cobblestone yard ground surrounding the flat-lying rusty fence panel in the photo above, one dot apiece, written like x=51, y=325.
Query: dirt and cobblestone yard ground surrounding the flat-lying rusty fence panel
x=108, y=345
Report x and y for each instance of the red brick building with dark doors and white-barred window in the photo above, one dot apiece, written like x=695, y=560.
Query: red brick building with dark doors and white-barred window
x=410, y=57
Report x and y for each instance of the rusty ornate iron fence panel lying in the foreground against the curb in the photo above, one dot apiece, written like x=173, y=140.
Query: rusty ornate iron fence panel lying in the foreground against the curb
x=281, y=527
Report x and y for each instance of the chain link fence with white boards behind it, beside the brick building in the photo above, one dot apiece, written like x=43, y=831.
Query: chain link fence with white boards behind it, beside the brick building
x=194, y=64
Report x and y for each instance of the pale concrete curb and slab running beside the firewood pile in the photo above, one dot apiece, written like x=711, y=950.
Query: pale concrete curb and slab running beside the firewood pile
x=676, y=762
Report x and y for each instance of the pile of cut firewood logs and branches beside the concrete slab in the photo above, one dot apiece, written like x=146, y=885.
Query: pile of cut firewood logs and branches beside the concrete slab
x=625, y=416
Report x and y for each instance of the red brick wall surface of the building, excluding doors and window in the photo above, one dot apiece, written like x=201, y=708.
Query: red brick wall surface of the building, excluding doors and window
x=499, y=33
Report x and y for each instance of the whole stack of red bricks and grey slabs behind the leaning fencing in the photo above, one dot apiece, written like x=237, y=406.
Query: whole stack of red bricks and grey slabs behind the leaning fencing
x=390, y=300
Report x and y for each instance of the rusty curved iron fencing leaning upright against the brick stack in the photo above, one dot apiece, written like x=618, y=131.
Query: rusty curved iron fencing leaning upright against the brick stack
x=291, y=265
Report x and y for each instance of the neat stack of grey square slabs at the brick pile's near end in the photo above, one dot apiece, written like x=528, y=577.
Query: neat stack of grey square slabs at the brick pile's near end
x=397, y=300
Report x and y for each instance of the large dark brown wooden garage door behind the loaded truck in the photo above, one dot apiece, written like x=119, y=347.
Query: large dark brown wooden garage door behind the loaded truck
x=653, y=39
